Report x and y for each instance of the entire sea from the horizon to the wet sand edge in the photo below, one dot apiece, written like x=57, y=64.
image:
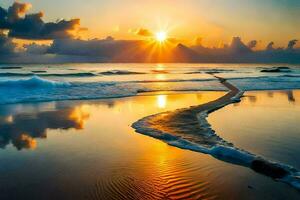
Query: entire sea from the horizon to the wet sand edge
x=35, y=83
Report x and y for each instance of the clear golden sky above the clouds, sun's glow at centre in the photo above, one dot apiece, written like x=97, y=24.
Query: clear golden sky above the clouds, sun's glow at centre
x=214, y=21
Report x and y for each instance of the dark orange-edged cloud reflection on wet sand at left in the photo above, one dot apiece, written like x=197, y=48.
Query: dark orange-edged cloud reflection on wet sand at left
x=22, y=129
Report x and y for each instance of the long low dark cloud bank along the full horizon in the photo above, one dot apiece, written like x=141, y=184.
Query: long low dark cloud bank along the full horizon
x=111, y=50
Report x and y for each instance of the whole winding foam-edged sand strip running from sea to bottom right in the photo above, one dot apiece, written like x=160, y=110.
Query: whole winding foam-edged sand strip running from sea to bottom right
x=177, y=129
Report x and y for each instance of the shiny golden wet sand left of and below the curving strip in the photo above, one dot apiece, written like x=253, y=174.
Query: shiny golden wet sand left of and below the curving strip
x=96, y=154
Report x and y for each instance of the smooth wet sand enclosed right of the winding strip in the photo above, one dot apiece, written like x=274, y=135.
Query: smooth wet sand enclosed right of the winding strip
x=268, y=124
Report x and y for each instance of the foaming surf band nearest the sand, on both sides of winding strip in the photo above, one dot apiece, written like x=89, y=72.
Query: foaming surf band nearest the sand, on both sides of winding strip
x=40, y=88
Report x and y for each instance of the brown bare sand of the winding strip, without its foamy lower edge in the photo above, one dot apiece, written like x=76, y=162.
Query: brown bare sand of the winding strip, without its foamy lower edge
x=185, y=122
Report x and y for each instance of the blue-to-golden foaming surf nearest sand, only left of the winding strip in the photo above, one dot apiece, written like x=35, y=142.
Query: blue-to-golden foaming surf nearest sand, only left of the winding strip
x=38, y=89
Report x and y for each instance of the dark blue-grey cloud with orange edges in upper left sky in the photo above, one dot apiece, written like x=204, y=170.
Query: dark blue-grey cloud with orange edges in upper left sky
x=32, y=27
